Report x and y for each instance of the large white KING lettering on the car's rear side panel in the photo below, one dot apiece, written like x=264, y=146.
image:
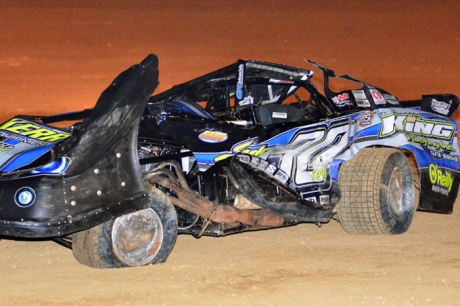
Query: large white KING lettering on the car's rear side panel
x=413, y=123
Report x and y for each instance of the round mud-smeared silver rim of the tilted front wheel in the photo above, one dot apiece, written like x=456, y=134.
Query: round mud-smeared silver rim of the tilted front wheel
x=137, y=237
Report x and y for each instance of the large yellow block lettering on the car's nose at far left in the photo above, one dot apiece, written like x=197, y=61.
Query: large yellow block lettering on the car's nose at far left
x=33, y=130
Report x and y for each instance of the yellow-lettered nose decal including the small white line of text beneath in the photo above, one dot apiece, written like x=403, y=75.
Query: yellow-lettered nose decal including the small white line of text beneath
x=31, y=130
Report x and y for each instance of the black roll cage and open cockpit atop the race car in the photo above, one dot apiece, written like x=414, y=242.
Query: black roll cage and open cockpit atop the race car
x=247, y=91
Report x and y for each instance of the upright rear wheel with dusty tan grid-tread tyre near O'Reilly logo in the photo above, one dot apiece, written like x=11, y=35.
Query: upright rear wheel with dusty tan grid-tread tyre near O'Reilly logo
x=377, y=193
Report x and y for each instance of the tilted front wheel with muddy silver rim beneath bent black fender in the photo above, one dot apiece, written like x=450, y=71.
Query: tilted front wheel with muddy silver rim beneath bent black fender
x=140, y=238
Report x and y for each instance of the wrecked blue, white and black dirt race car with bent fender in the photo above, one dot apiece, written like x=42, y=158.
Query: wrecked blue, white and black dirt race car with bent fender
x=253, y=145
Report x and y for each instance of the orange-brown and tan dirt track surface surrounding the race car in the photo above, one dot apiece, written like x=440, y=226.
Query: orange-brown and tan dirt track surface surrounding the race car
x=58, y=56
